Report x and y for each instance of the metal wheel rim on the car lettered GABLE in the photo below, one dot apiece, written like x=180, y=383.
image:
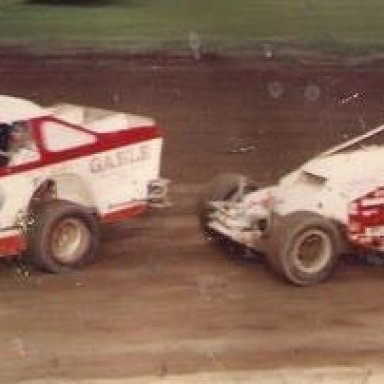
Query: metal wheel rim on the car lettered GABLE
x=70, y=239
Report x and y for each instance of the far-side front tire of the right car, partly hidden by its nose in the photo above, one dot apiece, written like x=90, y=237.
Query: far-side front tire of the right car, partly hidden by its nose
x=223, y=187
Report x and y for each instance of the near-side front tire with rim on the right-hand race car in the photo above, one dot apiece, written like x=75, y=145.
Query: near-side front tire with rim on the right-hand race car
x=304, y=248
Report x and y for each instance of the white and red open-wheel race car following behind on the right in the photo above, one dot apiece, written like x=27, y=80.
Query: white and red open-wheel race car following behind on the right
x=331, y=205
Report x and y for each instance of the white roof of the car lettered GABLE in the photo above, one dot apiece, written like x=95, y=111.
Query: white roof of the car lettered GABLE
x=16, y=109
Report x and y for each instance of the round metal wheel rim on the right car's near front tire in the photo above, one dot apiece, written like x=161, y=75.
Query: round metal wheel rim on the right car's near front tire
x=312, y=251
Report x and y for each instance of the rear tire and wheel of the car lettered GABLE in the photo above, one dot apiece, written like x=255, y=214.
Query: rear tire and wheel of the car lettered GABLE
x=63, y=236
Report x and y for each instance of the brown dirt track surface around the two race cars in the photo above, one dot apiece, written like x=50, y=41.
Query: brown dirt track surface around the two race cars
x=160, y=300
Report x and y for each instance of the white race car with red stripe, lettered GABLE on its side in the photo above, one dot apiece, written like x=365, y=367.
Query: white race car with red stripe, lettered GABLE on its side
x=66, y=169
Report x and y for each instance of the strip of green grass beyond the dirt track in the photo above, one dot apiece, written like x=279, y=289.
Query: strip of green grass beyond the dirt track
x=142, y=25
